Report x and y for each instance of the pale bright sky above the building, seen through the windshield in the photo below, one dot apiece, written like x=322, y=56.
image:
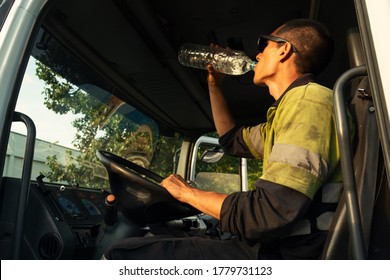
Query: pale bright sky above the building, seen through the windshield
x=49, y=126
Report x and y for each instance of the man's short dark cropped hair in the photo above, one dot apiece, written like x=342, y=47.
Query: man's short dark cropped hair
x=313, y=41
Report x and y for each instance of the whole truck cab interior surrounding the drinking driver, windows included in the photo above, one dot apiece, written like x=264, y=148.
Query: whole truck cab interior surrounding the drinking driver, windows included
x=95, y=102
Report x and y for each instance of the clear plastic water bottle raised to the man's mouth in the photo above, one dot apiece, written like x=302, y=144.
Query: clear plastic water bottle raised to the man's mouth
x=231, y=62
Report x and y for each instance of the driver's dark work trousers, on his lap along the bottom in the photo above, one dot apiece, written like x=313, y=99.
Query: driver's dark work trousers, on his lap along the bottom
x=163, y=247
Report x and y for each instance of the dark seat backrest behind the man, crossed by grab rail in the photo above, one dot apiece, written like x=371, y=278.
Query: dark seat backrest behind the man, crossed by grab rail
x=366, y=152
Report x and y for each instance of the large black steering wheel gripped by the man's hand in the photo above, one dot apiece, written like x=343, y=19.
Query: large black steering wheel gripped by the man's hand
x=140, y=197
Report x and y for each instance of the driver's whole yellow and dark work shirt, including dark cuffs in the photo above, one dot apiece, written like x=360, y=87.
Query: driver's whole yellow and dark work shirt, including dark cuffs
x=299, y=148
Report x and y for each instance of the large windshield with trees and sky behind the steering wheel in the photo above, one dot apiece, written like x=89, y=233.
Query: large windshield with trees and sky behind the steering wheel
x=77, y=113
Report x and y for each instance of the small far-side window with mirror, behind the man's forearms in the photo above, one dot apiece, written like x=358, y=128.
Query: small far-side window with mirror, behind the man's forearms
x=214, y=170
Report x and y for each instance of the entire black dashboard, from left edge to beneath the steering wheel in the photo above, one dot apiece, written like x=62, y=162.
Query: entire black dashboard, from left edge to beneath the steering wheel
x=67, y=223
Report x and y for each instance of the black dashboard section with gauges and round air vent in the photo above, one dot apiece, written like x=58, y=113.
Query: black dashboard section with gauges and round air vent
x=62, y=222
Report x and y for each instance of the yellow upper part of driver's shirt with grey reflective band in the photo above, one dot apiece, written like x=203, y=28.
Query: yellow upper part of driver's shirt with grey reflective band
x=298, y=143
